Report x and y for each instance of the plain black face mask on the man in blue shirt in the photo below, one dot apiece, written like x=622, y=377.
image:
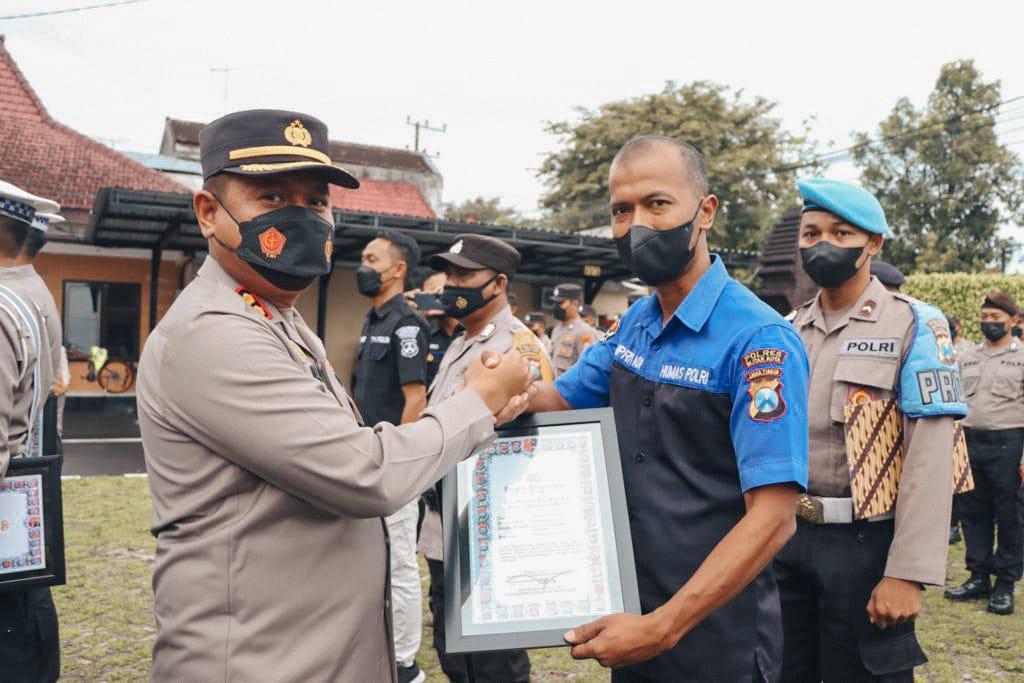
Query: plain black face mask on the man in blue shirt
x=658, y=257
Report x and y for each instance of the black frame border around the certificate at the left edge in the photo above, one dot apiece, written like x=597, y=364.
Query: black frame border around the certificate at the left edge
x=53, y=525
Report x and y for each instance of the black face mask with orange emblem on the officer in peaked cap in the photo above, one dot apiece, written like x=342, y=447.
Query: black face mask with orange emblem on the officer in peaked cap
x=289, y=247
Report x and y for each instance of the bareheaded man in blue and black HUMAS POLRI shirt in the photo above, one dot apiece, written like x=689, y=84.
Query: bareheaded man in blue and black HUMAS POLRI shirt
x=709, y=389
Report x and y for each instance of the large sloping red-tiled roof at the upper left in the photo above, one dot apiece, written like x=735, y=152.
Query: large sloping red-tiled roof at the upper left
x=52, y=160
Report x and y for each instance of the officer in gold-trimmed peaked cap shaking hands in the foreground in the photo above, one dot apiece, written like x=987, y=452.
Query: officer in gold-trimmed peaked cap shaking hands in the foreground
x=268, y=491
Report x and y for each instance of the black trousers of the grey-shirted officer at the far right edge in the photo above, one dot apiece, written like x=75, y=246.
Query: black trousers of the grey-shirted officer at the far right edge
x=995, y=462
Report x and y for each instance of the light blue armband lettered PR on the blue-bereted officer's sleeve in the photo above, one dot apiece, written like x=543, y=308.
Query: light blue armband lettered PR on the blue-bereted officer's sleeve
x=930, y=382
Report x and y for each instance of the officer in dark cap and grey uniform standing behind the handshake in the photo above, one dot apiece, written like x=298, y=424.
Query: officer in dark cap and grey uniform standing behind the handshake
x=479, y=271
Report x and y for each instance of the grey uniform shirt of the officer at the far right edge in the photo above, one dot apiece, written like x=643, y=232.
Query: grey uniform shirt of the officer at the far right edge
x=994, y=382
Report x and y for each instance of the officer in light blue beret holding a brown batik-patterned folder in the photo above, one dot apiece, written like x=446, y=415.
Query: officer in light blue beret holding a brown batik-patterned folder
x=883, y=399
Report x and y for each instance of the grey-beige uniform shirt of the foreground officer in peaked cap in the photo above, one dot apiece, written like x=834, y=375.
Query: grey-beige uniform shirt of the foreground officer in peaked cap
x=268, y=495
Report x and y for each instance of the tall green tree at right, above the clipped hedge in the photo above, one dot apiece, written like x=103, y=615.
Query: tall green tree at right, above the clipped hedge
x=947, y=184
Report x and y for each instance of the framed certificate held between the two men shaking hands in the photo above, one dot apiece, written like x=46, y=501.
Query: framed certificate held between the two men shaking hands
x=537, y=538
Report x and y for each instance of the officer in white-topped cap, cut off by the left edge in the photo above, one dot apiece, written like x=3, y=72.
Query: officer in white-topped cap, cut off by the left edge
x=30, y=648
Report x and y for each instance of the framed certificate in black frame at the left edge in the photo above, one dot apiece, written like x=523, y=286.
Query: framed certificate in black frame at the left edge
x=31, y=525
